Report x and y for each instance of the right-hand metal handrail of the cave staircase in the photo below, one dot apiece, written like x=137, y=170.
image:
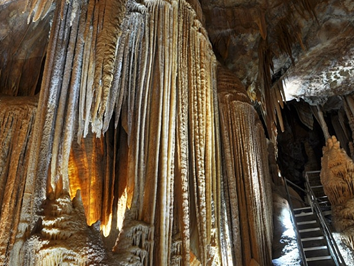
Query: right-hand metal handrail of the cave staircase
x=333, y=248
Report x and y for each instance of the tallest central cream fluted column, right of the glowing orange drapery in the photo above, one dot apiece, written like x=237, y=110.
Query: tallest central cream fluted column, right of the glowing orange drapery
x=171, y=179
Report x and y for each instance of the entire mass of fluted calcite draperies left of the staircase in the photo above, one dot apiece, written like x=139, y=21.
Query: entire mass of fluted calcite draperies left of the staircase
x=126, y=141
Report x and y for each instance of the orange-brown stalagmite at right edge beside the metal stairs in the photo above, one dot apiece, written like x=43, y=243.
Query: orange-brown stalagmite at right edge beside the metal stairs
x=337, y=177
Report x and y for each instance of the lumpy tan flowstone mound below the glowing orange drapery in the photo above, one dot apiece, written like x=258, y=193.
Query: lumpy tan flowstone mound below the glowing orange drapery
x=61, y=236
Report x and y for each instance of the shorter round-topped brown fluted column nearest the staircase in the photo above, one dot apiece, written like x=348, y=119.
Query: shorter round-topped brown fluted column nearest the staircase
x=247, y=182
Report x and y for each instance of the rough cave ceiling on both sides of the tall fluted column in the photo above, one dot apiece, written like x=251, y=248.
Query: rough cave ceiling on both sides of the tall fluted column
x=309, y=44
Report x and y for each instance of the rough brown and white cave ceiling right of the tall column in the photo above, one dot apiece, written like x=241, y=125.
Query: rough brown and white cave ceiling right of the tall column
x=309, y=43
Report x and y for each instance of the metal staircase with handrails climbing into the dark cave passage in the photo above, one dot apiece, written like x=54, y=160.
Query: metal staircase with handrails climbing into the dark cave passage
x=316, y=244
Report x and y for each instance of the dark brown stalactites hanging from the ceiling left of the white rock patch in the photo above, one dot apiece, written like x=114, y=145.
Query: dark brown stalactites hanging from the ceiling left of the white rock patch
x=287, y=33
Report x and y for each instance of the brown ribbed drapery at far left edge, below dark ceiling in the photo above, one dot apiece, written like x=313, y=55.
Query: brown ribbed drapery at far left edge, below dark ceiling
x=16, y=124
